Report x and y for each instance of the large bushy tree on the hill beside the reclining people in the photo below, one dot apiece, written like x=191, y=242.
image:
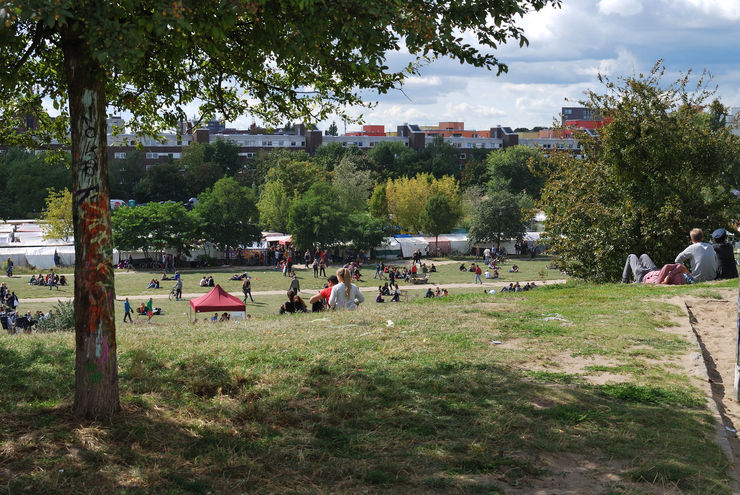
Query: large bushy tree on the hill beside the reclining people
x=657, y=170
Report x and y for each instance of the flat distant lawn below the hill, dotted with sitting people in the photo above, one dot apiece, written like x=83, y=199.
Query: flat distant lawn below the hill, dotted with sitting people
x=266, y=278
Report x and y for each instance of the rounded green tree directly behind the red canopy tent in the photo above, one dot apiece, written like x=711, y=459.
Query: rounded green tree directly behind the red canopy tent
x=227, y=214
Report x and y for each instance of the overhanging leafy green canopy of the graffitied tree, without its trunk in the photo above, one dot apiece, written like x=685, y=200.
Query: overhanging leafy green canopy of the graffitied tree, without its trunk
x=275, y=59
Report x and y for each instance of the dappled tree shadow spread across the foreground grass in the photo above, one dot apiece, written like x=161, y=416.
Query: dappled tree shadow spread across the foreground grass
x=193, y=425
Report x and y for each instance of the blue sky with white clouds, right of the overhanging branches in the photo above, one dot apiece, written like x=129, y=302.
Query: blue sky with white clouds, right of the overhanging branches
x=568, y=48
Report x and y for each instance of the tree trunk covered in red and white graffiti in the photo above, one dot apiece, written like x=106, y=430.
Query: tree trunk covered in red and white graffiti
x=96, y=366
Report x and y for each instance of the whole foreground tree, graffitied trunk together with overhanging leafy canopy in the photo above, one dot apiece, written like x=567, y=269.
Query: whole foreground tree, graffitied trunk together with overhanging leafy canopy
x=151, y=58
